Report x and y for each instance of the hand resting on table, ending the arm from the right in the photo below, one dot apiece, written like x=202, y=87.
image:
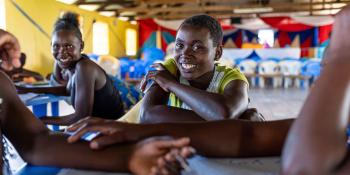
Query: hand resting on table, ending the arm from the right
x=111, y=132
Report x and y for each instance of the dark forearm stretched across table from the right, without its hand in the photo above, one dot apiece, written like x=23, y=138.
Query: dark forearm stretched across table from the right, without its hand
x=230, y=138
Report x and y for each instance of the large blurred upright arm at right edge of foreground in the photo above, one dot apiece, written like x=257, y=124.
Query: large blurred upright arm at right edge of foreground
x=317, y=141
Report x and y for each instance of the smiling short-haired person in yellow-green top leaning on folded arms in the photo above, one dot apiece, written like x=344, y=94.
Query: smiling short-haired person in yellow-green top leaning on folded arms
x=197, y=87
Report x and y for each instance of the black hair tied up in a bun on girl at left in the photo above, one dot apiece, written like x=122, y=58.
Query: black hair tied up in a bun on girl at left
x=69, y=21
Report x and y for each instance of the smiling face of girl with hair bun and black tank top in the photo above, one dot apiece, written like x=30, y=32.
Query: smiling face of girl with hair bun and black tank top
x=66, y=48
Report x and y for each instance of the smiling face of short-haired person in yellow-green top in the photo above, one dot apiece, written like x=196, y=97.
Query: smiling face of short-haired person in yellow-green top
x=195, y=52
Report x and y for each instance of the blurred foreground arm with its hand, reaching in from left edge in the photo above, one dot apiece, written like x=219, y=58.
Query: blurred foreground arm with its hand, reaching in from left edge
x=44, y=148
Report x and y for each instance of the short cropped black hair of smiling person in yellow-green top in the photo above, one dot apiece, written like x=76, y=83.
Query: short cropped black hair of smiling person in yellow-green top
x=208, y=22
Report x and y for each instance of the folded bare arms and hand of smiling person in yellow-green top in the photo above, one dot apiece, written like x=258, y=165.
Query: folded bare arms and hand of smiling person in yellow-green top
x=205, y=105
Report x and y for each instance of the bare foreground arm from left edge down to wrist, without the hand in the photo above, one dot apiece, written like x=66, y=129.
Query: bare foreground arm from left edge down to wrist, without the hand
x=41, y=147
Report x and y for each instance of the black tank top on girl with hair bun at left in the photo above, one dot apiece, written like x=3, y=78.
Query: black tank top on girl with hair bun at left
x=107, y=101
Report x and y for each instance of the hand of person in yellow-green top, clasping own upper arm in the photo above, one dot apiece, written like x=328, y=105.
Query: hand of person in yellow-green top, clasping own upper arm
x=161, y=76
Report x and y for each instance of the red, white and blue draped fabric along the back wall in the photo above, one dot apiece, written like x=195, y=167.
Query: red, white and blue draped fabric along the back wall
x=290, y=31
